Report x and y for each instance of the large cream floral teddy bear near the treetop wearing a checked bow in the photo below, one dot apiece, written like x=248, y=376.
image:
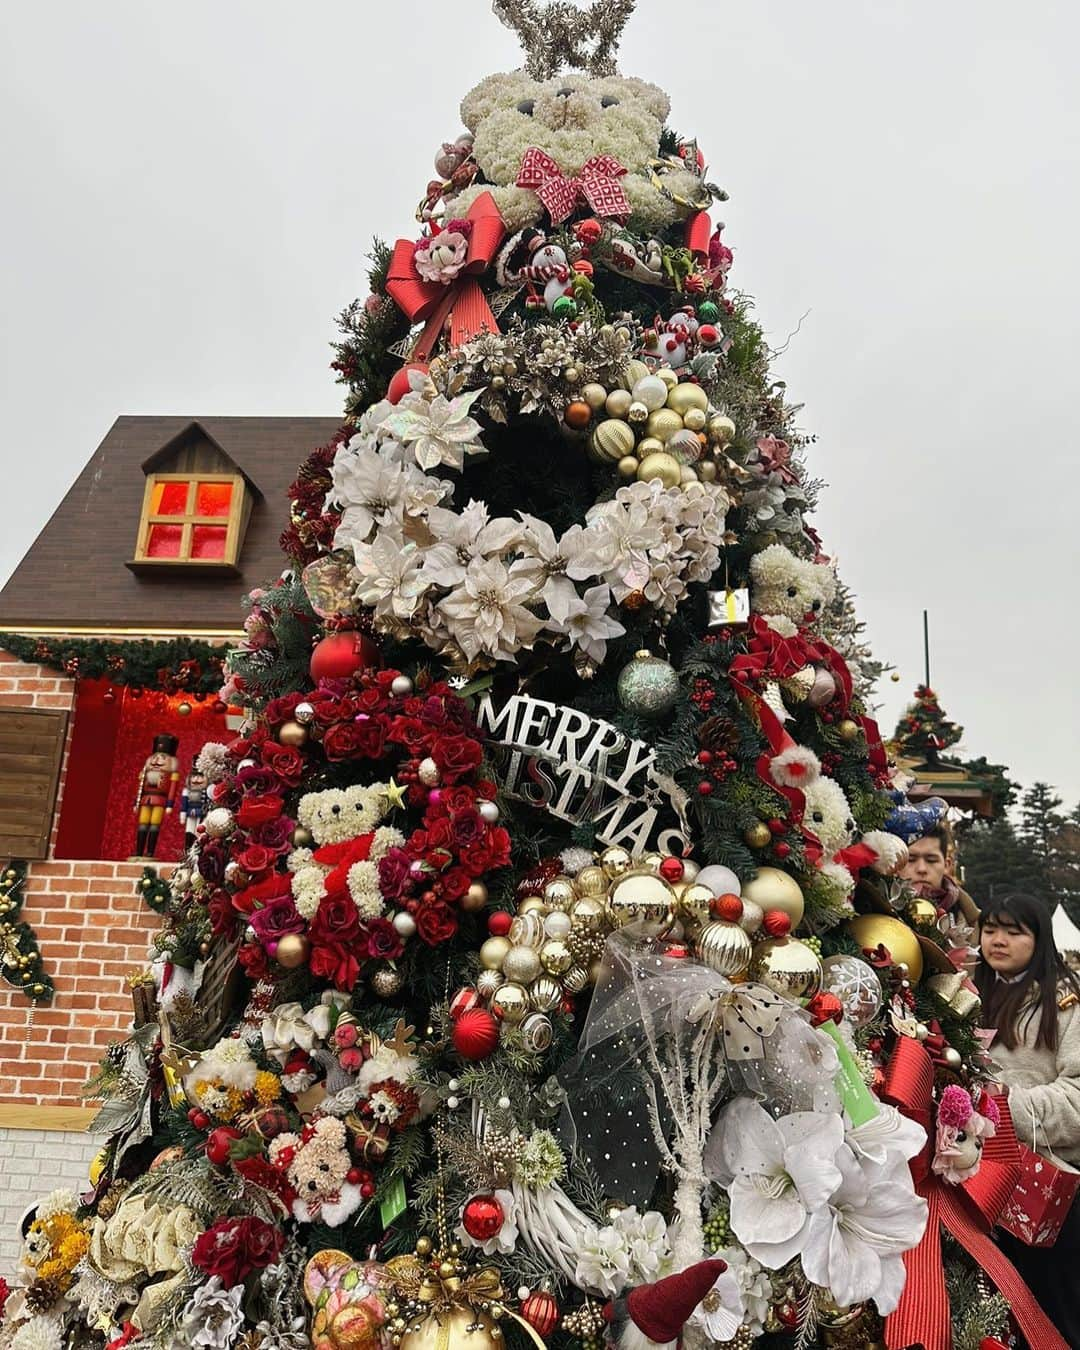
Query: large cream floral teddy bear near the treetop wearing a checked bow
x=572, y=119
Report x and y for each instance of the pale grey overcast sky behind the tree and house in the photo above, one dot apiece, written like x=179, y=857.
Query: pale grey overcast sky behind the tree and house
x=190, y=192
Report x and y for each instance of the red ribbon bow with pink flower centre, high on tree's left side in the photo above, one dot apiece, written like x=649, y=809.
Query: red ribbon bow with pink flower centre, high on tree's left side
x=462, y=300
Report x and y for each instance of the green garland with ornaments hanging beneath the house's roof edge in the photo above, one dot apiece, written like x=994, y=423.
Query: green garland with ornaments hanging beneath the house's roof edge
x=179, y=666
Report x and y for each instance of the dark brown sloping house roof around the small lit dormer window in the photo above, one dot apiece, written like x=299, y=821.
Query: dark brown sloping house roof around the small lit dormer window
x=75, y=576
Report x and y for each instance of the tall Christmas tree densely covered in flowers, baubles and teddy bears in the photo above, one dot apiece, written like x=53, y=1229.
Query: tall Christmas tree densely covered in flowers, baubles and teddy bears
x=543, y=940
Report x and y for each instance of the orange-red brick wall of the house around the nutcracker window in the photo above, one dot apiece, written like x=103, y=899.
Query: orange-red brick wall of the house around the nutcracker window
x=94, y=931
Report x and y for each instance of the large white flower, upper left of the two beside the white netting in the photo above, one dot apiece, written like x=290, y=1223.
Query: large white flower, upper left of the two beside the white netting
x=782, y=1171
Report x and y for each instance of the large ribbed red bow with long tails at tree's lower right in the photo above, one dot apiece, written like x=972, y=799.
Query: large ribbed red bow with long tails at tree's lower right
x=969, y=1213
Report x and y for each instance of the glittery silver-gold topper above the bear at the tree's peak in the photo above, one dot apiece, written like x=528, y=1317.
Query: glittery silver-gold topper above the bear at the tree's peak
x=557, y=34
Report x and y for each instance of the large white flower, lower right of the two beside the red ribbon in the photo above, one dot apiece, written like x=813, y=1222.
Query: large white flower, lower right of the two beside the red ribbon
x=855, y=1243
